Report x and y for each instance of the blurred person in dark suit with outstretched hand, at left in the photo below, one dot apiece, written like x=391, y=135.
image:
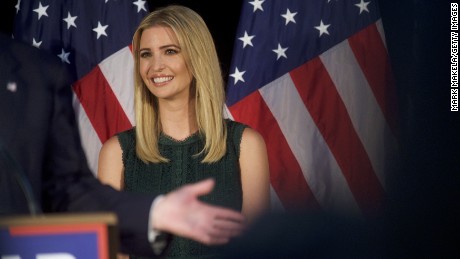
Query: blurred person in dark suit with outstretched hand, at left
x=39, y=139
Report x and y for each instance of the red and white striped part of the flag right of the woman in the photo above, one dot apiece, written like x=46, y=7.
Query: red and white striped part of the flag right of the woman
x=330, y=127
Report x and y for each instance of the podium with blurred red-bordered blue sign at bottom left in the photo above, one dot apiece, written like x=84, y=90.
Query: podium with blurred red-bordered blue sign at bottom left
x=59, y=236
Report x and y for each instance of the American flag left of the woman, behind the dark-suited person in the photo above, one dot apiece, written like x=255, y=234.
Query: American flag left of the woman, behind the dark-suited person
x=93, y=37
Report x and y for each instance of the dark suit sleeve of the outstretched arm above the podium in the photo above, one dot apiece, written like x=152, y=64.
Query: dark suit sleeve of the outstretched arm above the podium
x=71, y=186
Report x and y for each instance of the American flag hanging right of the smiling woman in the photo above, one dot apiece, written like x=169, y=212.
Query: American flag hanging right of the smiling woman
x=313, y=77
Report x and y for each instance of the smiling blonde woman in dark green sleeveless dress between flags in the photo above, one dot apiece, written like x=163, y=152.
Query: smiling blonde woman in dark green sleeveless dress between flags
x=181, y=135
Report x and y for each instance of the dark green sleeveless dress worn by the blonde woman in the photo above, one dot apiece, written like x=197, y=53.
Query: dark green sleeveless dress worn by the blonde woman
x=184, y=168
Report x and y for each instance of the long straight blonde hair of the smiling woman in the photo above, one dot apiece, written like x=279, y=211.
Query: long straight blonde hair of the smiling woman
x=202, y=61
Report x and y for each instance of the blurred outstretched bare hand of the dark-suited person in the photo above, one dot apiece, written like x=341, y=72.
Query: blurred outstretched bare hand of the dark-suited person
x=181, y=213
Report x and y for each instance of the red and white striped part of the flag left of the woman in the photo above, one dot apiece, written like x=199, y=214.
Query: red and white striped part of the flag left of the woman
x=104, y=102
